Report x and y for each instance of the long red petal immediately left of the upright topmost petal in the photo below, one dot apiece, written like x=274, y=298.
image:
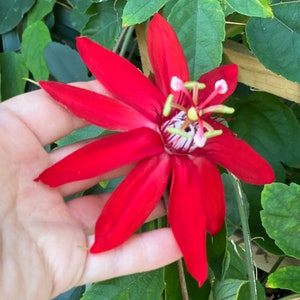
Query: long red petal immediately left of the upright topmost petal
x=121, y=78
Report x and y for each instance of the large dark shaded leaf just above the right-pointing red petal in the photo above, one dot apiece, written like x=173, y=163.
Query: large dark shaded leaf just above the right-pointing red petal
x=270, y=127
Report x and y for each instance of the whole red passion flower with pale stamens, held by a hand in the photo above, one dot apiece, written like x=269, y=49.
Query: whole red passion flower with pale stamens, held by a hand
x=170, y=129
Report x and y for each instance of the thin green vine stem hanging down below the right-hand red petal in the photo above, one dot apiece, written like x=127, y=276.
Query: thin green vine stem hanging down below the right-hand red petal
x=242, y=207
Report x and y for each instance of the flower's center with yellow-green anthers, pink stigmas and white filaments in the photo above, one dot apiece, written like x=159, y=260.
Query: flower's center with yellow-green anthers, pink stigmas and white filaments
x=186, y=128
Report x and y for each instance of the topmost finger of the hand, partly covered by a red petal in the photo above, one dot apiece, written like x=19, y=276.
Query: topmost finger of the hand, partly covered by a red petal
x=45, y=117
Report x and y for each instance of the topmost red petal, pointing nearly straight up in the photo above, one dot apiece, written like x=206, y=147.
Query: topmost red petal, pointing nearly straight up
x=166, y=55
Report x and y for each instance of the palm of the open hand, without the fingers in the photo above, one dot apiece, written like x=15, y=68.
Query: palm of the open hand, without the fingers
x=38, y=225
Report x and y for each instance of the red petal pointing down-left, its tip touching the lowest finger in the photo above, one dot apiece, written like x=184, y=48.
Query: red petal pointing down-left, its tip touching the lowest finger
x=131, y=203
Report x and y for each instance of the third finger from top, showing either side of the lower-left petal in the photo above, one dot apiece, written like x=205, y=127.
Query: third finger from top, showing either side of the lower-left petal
x=88, y=208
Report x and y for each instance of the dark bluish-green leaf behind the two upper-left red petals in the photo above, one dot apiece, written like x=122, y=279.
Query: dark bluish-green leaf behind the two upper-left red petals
x=64, y=63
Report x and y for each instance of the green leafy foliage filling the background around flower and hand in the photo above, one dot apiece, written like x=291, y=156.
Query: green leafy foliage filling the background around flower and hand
x=38, y=42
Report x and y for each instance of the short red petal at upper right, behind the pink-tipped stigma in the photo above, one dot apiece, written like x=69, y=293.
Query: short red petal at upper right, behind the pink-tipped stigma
x=229, y=73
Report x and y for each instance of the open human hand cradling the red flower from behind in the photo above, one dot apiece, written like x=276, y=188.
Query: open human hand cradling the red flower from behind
x=44, y=240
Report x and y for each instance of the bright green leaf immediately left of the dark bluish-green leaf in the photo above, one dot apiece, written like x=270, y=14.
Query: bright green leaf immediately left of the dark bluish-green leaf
x=34, y=40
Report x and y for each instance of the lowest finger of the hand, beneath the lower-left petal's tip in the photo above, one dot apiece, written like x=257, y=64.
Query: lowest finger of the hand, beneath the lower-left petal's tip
x=141, y=253
